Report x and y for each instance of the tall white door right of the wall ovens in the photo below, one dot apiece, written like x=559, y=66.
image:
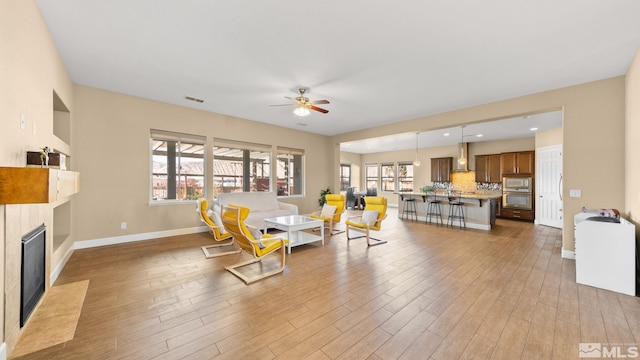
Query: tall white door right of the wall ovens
x=549, y=201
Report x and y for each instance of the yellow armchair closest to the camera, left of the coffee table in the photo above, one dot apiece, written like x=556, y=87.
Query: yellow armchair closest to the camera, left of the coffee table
x=259, y=245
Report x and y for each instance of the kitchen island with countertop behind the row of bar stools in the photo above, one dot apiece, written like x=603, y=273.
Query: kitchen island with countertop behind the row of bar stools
x=479, y=208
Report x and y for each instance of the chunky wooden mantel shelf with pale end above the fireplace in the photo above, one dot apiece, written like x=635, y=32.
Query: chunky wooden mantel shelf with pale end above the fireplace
x=36, y=185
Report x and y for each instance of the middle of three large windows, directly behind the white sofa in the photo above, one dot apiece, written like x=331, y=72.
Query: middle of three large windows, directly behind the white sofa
x=240, y=167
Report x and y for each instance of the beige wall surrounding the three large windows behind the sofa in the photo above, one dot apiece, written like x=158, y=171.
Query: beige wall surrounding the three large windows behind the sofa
x=112, y=147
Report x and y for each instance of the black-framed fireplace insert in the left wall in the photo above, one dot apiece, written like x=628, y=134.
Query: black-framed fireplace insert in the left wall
x=33, y=272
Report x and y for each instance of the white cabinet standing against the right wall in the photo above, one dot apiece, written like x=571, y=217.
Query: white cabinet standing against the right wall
x=605, y=254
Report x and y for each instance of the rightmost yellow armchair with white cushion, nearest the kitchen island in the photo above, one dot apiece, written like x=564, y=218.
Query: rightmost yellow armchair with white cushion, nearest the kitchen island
x=371, y=219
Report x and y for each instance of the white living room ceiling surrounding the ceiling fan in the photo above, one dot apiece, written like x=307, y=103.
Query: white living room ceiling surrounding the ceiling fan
x=376, y=62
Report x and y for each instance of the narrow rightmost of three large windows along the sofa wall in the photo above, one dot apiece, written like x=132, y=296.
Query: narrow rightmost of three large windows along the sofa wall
x=289, y=172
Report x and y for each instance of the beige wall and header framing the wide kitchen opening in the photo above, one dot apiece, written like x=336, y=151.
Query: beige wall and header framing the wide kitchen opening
x=593, y=133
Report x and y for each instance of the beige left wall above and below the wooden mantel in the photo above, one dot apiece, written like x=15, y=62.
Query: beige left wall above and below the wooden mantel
x=30, y=70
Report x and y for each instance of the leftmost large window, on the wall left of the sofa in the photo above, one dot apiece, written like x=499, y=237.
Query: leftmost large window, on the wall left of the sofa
x=177, y=163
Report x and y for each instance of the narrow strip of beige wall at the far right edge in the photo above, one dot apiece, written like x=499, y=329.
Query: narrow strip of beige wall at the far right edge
x=632, y=134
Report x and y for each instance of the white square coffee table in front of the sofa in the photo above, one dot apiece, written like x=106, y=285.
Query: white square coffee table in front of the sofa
x=293, y=225
